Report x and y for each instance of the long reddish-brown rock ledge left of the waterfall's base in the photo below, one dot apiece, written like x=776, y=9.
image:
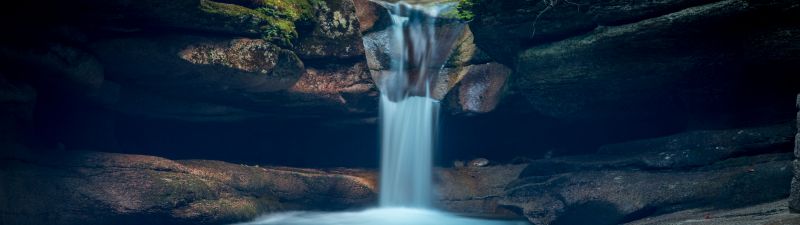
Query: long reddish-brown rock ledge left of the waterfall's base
x=104, y=188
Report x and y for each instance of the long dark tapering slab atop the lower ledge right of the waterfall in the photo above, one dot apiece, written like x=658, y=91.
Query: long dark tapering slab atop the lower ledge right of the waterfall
x=677, y=152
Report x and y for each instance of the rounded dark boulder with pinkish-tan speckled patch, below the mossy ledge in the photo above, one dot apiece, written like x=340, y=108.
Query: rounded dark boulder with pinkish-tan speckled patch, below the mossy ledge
x=237, y=73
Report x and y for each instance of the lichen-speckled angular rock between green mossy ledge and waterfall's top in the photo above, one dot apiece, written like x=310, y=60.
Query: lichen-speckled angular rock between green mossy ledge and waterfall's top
x=335, y=33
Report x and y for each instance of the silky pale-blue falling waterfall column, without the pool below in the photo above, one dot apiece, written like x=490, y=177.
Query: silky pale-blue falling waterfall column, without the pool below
x=407, y=111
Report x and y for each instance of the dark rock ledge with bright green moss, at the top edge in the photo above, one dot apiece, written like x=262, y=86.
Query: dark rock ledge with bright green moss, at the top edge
x=274, y=20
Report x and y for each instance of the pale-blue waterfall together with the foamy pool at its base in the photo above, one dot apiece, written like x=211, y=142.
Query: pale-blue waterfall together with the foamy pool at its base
x=408, y=116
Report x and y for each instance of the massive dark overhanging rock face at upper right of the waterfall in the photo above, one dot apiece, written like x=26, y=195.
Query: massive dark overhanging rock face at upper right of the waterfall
x=632, y=62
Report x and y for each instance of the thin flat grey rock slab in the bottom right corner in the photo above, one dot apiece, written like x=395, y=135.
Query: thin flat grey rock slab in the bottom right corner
x=772, y=213
